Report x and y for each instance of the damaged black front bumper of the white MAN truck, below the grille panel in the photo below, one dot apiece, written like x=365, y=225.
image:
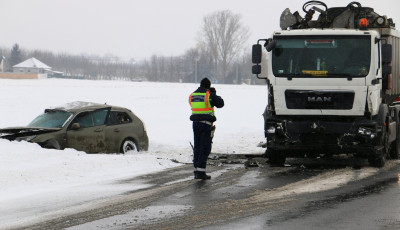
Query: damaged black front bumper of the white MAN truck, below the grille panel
x=297, y=137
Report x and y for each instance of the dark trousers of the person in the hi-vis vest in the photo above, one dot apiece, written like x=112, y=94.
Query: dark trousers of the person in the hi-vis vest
x=202, y=145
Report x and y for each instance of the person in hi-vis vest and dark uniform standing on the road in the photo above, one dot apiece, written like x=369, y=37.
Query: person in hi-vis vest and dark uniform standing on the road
x=202, y=102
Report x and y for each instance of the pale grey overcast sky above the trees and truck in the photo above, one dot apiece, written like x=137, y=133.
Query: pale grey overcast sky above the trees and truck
x=140, y=28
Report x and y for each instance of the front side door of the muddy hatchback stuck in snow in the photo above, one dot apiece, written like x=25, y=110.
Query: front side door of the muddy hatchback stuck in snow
x=89, y=136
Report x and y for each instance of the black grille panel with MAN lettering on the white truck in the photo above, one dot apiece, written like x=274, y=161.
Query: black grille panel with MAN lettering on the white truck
x=312, y=99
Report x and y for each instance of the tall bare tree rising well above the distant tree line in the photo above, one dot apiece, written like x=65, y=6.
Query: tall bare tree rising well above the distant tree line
x=224, y=36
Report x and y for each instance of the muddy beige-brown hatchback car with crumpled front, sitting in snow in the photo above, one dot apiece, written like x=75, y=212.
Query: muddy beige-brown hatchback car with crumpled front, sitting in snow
x=84, y=126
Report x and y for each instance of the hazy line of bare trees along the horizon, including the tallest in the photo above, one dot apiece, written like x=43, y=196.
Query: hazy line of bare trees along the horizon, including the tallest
x=219, y=55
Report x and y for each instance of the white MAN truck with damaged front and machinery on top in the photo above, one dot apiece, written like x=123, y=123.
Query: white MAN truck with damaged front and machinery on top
x=333, y=84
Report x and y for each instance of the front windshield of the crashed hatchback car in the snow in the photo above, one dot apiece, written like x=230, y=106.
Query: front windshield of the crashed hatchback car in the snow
x=51, y=119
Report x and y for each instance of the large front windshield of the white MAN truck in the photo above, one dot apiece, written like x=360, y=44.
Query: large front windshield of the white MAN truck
x=321, y=56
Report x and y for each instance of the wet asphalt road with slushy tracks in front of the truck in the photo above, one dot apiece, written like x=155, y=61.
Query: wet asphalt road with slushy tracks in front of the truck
x=305, y=194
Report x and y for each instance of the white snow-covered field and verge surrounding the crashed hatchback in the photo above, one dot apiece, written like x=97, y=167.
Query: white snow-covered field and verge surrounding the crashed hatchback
x=31, y=177
